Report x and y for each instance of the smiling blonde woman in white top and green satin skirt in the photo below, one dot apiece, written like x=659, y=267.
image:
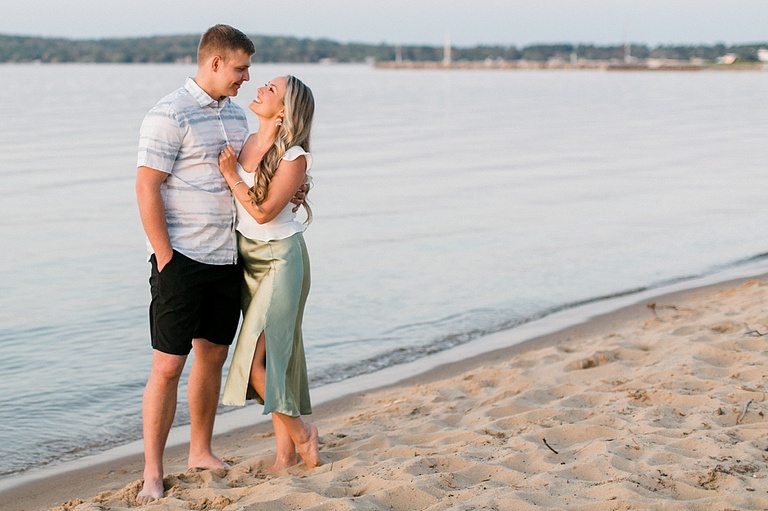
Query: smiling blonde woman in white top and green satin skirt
x=268, y=364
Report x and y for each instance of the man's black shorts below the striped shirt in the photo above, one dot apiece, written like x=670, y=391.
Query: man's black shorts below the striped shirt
x=193, y=300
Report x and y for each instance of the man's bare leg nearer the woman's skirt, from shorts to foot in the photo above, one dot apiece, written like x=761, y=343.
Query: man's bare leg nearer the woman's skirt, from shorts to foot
x=203, y=395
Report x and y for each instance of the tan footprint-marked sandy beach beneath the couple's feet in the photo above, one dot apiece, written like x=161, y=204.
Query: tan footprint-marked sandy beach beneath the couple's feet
x=660, y=405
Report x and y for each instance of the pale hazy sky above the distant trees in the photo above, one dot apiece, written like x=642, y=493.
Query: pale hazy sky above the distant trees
x=464, y=23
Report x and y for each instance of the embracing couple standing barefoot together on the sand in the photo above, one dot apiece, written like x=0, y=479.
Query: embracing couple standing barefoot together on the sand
x=218, y=207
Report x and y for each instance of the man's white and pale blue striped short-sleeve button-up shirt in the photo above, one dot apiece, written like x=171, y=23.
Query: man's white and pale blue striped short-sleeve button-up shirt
x=183, y=135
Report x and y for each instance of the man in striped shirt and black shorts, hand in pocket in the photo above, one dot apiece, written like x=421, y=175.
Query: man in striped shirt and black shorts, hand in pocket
x=188, y=216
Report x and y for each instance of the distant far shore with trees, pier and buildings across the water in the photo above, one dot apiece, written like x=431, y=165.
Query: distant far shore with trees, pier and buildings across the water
x=182, y=49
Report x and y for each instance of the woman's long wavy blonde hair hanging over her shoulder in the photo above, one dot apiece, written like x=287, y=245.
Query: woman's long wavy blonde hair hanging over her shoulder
x=295, y=130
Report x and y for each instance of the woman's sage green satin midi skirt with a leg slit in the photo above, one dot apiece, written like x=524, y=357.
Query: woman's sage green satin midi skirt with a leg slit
x=274, y=293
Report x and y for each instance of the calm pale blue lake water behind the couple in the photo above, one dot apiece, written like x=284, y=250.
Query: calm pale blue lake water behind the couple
x=448, y=204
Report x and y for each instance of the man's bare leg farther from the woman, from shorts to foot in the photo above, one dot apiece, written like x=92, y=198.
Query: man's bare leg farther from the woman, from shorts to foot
x=158, y=410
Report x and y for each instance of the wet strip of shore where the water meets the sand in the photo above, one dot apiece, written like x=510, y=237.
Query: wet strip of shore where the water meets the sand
x=113, y=469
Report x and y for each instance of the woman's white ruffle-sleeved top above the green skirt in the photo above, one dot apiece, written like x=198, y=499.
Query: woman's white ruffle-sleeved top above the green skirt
x=285, y=224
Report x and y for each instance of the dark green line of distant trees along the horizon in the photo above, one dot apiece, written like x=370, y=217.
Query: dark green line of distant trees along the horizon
x=183, y=48
